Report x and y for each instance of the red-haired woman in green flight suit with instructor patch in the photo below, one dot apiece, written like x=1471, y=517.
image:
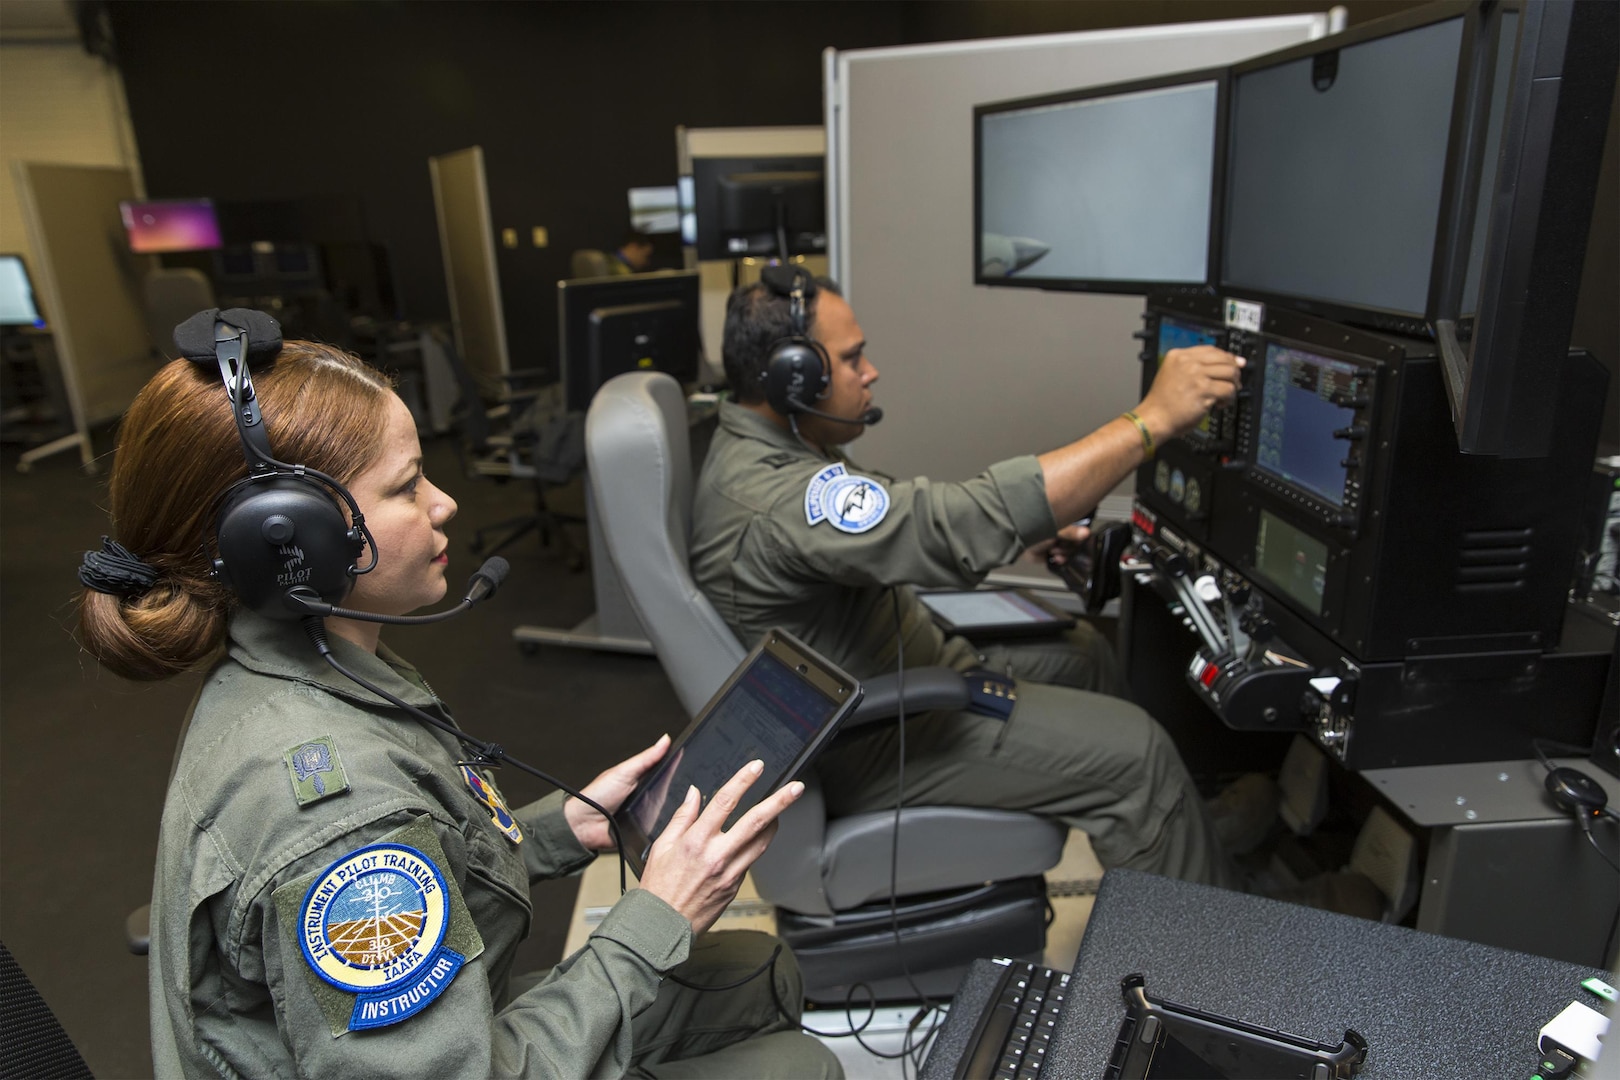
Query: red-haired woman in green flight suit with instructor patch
x=336, y=895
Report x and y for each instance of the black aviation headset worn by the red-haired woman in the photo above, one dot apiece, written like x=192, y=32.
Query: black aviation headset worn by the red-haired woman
x=281, y=537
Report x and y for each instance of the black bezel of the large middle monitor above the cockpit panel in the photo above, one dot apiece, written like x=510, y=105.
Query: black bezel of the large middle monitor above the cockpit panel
x=1324, y=57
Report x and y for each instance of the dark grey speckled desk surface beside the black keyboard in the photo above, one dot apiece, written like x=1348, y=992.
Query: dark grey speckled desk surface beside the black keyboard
x=1428, y=1006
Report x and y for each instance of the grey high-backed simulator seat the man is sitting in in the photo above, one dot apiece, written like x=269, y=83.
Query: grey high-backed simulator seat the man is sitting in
x=970, y=880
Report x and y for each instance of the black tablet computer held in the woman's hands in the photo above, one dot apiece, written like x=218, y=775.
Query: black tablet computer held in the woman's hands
x=782, y=705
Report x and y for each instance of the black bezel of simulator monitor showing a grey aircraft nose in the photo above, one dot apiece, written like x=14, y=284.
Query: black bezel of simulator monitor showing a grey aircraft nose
x=1217, y=77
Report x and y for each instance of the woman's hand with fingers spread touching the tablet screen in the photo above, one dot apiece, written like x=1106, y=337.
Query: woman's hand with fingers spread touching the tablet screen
x=694, y=865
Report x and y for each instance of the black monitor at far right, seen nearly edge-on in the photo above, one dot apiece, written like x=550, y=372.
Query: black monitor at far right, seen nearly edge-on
x=1535, y=134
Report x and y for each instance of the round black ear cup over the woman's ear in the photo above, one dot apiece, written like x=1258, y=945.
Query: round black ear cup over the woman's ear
x=278, y=534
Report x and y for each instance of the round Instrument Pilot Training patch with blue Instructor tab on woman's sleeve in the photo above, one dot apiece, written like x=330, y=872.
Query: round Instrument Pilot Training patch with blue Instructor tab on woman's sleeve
x=382, y=932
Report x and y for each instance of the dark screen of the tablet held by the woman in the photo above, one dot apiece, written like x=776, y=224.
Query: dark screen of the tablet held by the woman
x=770, y=715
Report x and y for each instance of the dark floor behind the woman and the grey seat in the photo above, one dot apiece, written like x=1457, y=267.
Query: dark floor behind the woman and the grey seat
x=85, y=757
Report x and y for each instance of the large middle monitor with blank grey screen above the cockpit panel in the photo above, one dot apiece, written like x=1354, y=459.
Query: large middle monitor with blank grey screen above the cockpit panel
x=1339, y=164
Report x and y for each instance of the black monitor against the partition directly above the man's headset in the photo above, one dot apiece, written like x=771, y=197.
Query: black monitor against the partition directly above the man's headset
x=759, y=206
